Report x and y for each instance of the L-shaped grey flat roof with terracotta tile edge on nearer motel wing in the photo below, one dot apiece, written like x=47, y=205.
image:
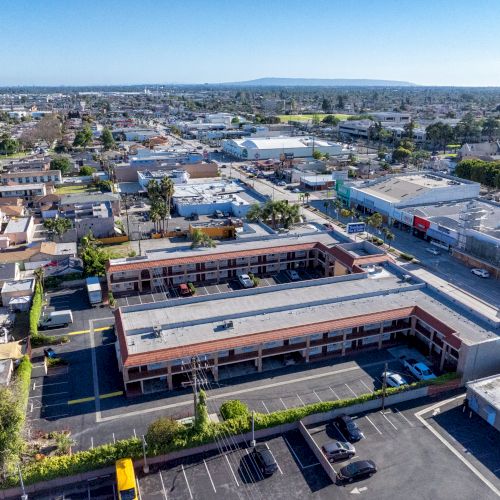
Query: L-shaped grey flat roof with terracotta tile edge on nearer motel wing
x=170, y=330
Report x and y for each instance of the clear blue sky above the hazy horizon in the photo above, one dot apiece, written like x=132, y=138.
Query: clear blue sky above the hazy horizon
x=429, y=42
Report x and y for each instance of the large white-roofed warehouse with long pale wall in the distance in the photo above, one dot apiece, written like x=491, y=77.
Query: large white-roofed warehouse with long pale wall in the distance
x=280, y=147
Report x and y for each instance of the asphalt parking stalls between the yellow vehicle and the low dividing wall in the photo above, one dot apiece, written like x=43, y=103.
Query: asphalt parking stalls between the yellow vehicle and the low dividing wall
x=234, y=473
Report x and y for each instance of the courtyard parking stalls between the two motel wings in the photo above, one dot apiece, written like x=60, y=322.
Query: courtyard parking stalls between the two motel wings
x=134, y=298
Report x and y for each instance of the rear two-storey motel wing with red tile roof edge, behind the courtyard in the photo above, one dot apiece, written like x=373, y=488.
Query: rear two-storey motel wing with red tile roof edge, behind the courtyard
x=264, y=257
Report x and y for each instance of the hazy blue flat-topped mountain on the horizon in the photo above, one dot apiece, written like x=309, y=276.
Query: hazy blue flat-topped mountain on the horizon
x=319, y=82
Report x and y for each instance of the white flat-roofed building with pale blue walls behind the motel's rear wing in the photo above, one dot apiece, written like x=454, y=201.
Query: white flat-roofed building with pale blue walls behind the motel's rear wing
x=204, y=198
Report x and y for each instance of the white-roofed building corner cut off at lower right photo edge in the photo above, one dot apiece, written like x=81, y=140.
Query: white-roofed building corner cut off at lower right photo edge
x=484, y=398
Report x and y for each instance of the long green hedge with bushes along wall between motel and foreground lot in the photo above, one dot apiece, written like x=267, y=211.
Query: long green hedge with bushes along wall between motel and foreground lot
x=167, y=436
